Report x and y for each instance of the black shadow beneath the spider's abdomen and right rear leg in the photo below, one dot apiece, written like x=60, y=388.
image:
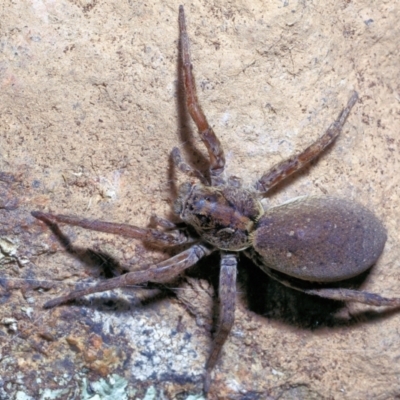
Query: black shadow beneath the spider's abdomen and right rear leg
x=269, y=298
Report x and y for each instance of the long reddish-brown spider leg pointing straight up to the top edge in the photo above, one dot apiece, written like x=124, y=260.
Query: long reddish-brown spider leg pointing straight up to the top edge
x=207, y=135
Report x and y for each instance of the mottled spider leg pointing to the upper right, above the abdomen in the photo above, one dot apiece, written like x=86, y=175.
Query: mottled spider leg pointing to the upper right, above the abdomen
x=285, y=168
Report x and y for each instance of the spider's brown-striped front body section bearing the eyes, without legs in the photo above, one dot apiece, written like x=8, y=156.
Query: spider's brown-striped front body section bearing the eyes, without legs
x=223, y=216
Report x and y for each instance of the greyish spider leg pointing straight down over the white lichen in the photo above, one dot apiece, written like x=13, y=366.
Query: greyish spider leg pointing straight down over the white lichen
x=227, y=297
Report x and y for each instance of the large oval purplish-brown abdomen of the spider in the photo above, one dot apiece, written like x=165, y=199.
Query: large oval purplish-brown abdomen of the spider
x=320, y=239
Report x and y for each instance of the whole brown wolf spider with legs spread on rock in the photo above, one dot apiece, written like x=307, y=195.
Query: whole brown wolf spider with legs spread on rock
x=313, y=239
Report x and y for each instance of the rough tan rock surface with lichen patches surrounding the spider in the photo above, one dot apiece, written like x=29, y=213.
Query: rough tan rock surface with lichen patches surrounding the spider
x=90, y=109
